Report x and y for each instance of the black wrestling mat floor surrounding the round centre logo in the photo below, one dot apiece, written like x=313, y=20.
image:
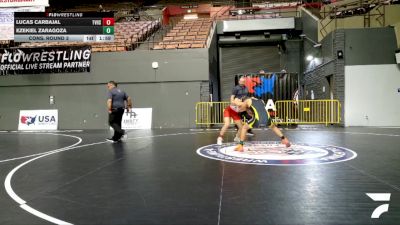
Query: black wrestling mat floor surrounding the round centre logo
x=156, y=177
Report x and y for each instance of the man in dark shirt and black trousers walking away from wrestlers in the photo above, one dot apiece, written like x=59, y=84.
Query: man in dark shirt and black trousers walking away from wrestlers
x=117, y=102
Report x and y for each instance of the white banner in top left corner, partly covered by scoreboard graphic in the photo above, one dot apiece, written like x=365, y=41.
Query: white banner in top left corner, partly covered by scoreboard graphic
x=7, y=20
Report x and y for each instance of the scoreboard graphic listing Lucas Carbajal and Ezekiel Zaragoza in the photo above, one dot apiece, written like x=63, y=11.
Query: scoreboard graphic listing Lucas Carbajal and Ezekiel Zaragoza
x=77, y=27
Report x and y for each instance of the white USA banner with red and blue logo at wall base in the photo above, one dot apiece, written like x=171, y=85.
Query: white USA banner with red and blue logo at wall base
x=38, y=119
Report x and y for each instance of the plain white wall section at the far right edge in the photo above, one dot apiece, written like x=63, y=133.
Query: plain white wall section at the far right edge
x=371, y=95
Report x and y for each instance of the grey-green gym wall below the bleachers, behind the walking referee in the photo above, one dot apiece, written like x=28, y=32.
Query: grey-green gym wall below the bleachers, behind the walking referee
x=172, y=90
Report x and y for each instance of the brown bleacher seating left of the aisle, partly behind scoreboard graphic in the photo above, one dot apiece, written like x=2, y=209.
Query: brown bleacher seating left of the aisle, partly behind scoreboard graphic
x=127, y=37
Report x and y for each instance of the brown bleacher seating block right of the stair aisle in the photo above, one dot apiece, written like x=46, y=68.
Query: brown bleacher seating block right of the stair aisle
x=187, y=34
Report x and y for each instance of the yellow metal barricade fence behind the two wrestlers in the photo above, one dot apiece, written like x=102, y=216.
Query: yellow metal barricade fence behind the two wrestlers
x=287, y=112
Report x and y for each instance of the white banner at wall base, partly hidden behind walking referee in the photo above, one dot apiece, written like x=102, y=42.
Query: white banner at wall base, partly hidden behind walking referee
x=139, y=118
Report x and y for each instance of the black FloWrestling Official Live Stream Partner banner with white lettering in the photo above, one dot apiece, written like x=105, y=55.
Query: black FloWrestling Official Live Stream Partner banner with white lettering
x=70, y=59
